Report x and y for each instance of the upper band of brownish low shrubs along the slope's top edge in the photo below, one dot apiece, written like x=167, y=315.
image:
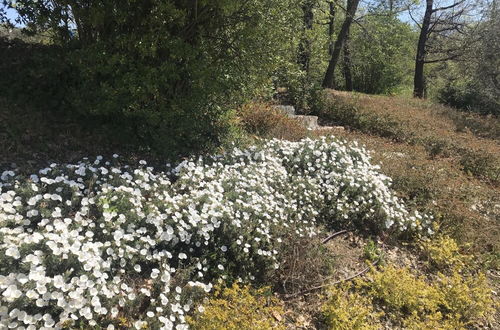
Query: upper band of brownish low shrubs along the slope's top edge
x=420, y=123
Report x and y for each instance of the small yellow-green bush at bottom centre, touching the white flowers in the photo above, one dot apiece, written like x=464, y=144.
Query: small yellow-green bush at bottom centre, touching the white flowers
x=239, y=308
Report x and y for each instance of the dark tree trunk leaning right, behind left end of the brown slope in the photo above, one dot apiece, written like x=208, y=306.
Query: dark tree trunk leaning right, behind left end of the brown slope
x=328, y=81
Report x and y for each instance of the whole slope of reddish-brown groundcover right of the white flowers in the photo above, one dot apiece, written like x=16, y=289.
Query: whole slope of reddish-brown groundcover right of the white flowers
x=440, y=159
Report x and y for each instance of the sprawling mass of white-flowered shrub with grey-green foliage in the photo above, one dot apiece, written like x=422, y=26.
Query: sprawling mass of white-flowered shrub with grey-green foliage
x=99, y=243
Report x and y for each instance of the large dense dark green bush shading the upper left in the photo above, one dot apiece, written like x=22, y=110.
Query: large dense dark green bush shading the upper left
x=170, y=72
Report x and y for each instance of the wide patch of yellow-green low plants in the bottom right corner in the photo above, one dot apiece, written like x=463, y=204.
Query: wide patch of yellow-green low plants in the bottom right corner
x=446, y=302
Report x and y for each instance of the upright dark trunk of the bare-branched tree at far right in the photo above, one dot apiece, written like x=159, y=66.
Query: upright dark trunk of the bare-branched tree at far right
x=419, y=79
